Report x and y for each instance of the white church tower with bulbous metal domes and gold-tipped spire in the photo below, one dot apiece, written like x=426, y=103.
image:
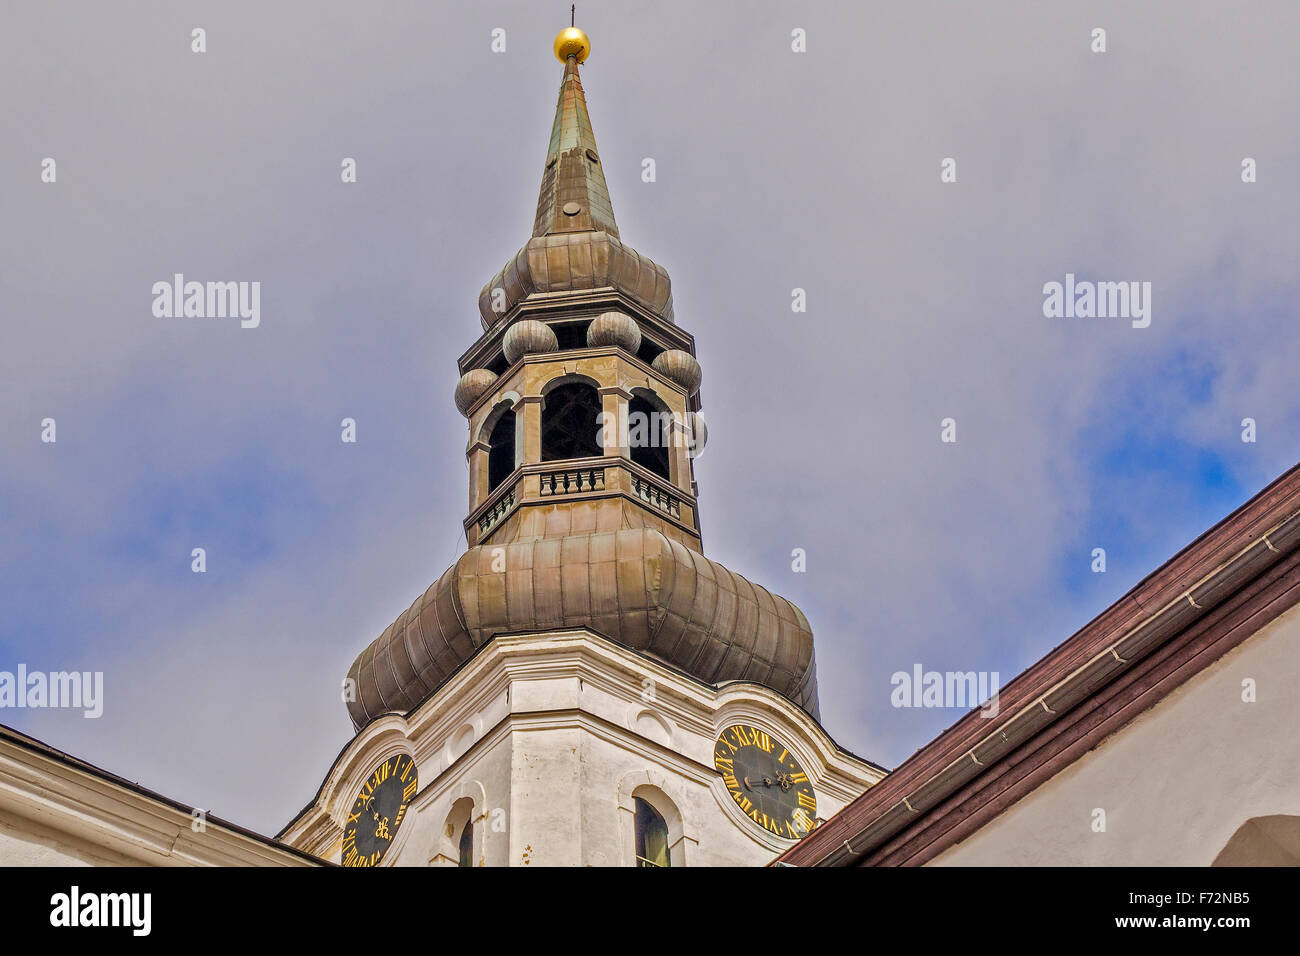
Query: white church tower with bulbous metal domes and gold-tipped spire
x=584, y=686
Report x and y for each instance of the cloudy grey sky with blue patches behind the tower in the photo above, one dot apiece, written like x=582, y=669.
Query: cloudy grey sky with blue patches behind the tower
x=775, y=171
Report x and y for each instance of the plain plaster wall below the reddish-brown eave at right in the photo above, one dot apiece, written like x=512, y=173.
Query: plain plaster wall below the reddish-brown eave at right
x=1178, y=781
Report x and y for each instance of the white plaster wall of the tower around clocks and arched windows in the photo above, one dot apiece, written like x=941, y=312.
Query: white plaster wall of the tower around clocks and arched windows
x=565, y=732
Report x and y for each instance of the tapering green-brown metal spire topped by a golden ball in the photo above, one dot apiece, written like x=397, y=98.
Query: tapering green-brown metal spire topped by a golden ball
x=574, y=197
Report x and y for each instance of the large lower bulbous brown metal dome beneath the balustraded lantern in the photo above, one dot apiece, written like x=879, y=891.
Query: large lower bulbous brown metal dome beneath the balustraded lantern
x=636, y=587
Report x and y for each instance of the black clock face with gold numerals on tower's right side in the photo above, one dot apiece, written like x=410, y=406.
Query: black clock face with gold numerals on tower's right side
x=765, y=781
